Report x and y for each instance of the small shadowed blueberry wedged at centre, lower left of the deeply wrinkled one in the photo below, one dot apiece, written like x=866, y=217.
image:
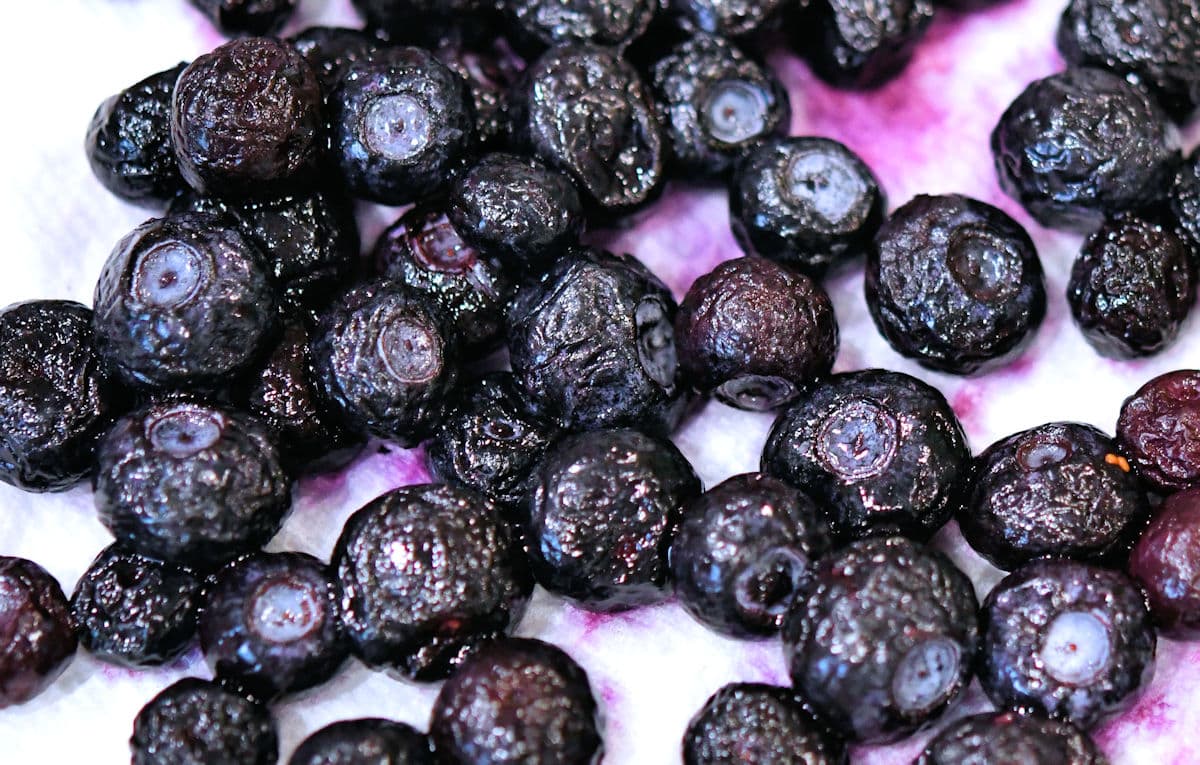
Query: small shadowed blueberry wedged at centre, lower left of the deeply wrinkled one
x=489, y=441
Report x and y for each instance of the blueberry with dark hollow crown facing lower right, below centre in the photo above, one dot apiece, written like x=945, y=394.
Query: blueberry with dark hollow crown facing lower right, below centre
x=743, y=551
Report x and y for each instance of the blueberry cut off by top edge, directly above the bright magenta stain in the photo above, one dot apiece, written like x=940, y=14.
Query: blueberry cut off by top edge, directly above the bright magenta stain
x=862, y=44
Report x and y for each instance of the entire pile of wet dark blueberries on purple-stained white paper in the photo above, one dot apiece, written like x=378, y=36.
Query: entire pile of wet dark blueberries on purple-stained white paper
x=241, y=341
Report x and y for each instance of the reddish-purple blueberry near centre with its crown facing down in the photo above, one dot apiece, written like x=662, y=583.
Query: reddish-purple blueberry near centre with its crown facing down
x=755, y=334
